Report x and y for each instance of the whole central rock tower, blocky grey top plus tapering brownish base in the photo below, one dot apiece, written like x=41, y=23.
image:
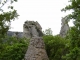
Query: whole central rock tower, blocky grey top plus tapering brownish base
x=36, y=49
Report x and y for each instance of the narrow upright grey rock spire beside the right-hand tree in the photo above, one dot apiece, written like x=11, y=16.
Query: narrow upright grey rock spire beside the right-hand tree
x=64, y=27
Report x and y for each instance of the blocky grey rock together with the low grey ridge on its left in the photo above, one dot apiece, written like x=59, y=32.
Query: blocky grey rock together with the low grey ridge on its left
x=30, y=29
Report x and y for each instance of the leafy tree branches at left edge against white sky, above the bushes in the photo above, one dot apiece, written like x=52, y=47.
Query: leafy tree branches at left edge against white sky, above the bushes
x=6, y=17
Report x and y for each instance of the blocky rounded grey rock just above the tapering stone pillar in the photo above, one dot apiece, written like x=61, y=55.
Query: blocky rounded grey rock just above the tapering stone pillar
x=31, y=29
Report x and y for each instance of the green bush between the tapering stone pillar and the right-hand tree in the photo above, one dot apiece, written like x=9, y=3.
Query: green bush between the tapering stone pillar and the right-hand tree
x=56, y=46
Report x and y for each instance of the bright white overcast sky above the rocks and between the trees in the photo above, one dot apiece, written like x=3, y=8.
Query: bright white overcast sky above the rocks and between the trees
x=46, y=12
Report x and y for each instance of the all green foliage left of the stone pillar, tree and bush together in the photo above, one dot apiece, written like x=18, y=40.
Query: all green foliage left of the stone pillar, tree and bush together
x=11, y=48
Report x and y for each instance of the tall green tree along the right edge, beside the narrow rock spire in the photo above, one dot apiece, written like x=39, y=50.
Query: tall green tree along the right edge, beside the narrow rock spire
x=74, y=33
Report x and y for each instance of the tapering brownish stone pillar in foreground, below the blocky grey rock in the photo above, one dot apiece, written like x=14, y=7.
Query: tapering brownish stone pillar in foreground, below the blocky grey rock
x=36, y=50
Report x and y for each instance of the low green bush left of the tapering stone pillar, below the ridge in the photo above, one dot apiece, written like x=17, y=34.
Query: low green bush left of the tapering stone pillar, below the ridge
x=13, y=48
